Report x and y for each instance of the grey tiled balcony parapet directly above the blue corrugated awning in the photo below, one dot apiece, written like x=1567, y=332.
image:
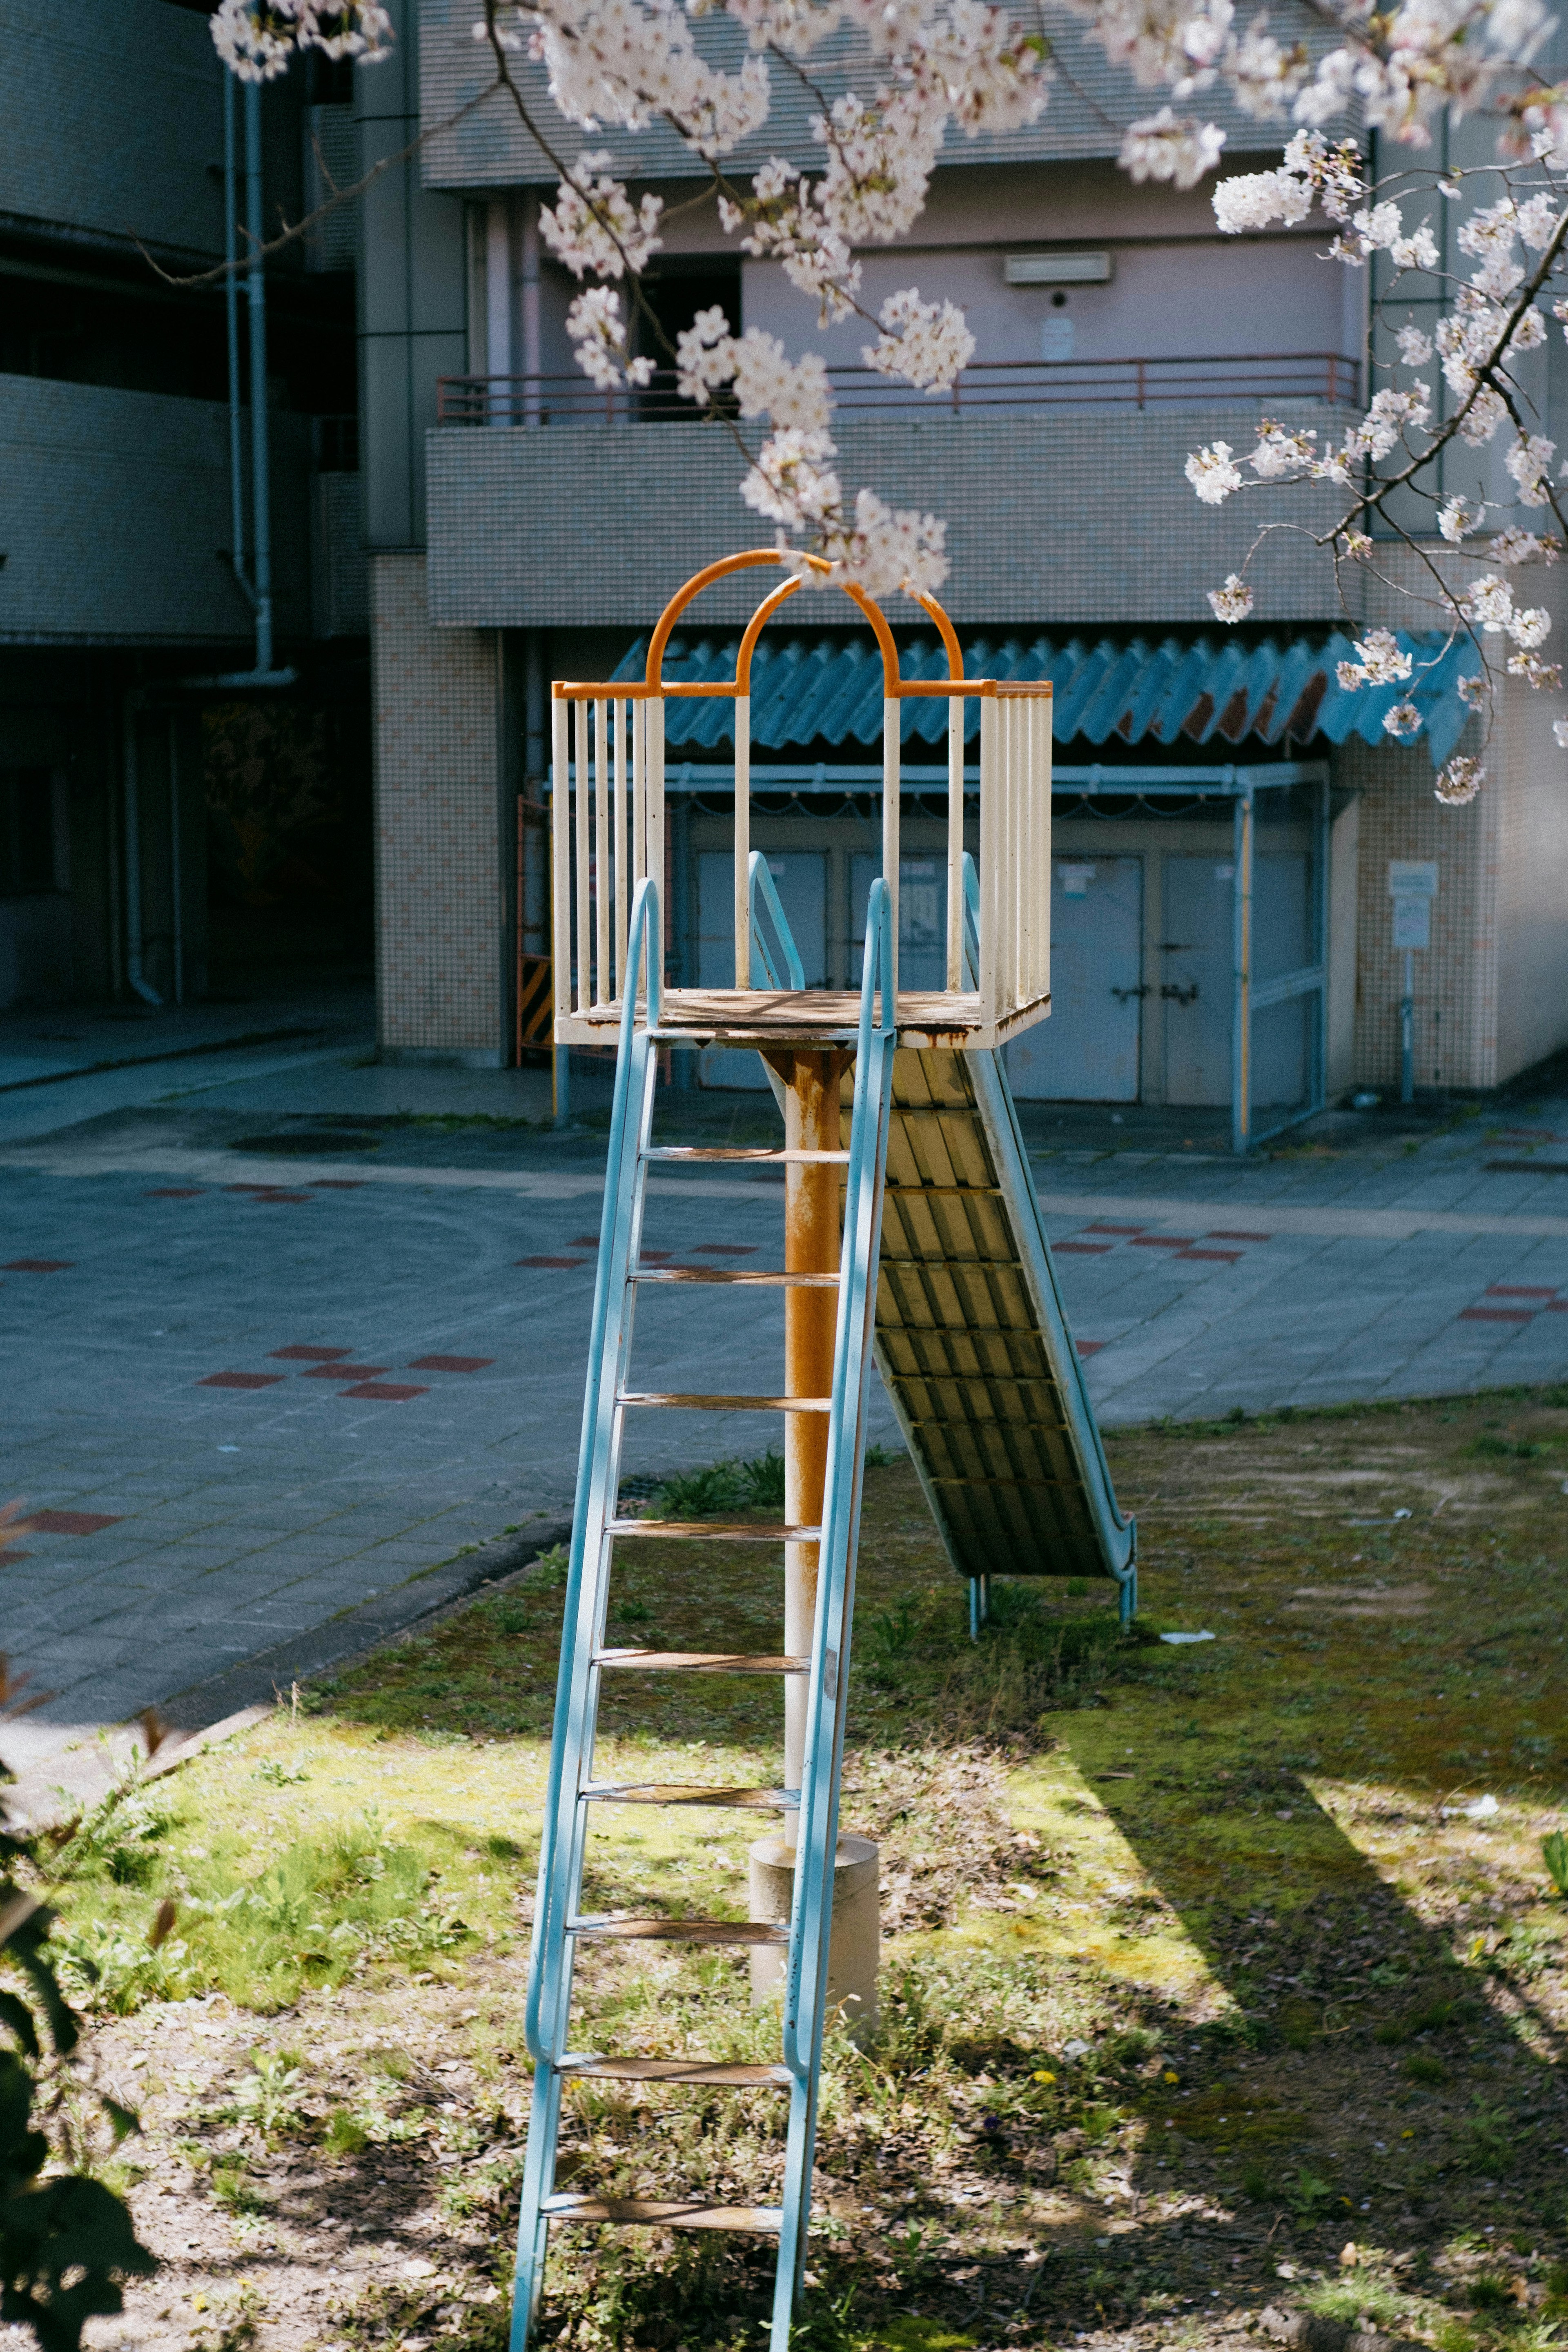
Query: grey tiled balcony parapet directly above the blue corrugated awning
x=1057, y=519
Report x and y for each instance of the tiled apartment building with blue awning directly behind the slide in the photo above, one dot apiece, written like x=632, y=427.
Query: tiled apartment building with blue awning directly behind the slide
x=1226, y=817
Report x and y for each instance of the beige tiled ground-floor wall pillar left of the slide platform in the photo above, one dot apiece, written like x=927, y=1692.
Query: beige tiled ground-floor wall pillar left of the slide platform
x=438, y=860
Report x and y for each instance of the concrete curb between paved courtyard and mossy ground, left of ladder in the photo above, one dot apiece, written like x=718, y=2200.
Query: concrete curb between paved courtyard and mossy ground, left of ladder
x=246, y=1695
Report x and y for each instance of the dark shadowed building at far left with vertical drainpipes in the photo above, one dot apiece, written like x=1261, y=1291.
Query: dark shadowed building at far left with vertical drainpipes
x=168, y=822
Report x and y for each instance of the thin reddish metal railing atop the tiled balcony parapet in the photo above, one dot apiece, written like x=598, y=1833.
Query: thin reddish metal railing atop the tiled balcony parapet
x=989, y=389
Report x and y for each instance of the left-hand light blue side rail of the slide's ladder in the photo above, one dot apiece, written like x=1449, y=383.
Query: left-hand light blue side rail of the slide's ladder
x=561, y=1859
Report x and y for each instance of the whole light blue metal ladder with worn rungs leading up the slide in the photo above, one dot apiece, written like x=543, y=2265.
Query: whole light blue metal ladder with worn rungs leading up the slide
x=572, y=1791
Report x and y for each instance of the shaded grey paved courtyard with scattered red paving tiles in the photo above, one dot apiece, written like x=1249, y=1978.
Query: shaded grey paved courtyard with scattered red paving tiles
x=288, y=1330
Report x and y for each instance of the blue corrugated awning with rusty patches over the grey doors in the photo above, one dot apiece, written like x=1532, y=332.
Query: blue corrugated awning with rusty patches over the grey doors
x=1181, y=690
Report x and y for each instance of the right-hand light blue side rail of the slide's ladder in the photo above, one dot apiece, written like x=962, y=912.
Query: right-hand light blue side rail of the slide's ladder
x=829, y=1688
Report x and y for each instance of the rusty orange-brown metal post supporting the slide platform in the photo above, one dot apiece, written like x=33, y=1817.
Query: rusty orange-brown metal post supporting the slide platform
x=812, y=1248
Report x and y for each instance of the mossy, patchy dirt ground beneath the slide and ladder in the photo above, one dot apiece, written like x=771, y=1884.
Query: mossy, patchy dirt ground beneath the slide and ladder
x=1217, y=1975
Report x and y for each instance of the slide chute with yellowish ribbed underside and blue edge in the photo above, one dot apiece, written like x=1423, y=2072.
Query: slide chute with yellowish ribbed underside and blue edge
x=974, y=1342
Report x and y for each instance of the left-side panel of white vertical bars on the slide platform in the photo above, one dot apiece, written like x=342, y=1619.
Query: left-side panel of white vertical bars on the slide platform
x=608, y=834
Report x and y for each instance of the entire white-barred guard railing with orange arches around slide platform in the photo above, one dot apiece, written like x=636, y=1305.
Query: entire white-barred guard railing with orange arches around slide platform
x=610, y=831
